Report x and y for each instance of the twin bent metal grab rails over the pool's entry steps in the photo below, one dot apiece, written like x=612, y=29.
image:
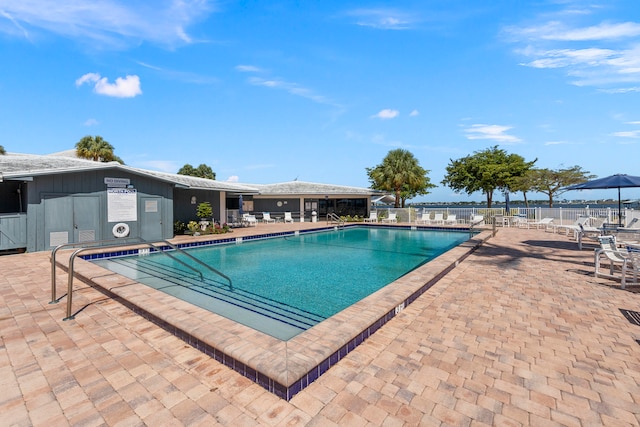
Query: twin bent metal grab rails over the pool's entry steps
x=116, y=243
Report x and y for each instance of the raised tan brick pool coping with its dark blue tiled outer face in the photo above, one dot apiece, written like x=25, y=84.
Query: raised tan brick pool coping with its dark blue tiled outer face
x=282, y=367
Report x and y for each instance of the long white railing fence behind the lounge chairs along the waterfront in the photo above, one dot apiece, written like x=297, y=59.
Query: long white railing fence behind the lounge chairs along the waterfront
x=561, y=216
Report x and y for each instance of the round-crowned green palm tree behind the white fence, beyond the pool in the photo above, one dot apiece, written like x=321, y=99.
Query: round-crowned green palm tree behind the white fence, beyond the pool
x=401, y=173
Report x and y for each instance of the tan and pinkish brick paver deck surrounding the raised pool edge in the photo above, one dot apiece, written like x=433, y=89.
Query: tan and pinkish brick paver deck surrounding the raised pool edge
x=520, y=333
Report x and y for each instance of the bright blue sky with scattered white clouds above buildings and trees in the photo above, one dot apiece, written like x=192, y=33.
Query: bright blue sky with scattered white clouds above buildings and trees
x=273, y=91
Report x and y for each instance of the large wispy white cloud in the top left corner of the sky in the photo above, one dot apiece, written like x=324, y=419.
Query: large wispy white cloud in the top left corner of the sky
x=106, y=23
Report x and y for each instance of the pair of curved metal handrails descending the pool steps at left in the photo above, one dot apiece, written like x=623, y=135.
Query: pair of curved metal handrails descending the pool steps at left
x=150, y=245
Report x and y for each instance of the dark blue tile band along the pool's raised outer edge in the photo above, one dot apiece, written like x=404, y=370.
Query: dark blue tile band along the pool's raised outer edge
x=281, y=390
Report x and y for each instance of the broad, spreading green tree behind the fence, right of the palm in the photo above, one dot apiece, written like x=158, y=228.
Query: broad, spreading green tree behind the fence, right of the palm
x=486, y=171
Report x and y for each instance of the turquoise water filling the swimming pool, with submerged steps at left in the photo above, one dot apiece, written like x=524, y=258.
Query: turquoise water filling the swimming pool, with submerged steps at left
x=283, y=286
